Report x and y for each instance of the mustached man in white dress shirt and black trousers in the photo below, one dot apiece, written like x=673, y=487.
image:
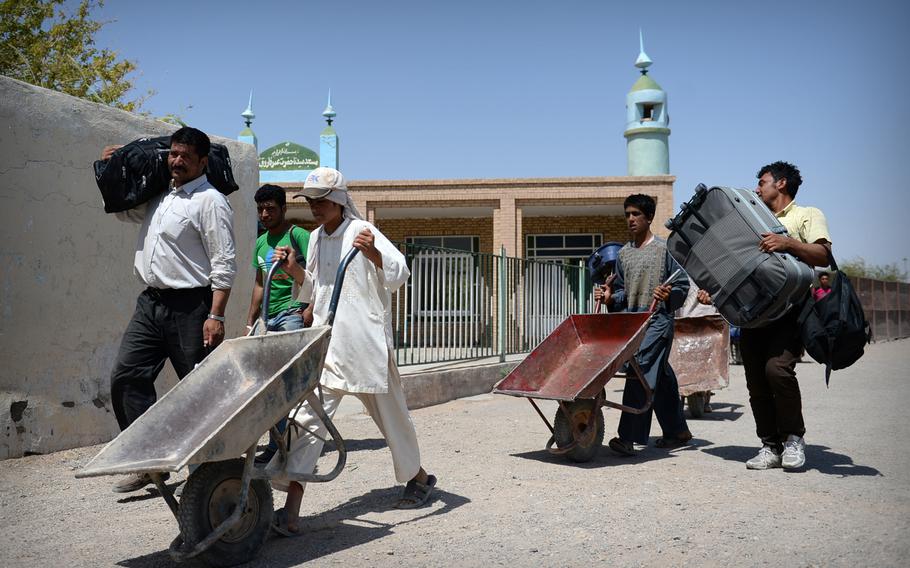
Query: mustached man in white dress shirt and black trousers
x=185, y=258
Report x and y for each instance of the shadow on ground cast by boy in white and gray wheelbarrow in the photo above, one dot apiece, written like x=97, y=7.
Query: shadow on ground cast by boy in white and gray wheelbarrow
x=337, y=529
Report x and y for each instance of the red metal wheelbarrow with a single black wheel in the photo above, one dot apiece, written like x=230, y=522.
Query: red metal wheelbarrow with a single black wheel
x=572, y=365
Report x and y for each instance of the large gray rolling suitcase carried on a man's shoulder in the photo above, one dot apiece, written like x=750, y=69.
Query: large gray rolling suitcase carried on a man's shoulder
x=715, y=239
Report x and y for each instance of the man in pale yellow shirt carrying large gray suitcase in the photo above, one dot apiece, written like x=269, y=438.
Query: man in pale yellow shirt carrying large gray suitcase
x=770, y=352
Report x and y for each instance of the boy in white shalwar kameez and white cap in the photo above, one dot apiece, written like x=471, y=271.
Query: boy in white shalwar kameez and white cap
x=360, y=357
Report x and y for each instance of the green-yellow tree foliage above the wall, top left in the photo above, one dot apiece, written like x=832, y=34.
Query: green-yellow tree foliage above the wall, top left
x=43, y=45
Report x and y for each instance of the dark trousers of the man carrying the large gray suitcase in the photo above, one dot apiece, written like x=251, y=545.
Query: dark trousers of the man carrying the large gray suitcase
x=769, y=358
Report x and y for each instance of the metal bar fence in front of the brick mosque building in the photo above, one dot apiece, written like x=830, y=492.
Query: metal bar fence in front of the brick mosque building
x=462, y=305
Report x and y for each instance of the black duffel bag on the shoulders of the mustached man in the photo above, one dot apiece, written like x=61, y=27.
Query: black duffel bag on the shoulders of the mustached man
x=138, y=171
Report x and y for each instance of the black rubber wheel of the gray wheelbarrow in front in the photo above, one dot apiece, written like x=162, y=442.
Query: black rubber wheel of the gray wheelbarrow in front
x=210, y=496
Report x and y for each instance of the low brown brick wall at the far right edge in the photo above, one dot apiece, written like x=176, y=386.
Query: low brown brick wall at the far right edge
x=887, y=307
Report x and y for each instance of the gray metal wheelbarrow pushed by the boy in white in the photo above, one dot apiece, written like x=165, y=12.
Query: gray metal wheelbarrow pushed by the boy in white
x=214, y=418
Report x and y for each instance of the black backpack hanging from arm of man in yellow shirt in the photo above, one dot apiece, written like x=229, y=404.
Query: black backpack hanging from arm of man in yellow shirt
x=834, y=329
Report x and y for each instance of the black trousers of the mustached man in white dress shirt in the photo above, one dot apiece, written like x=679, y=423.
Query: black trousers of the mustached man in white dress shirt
x=167, y=324
